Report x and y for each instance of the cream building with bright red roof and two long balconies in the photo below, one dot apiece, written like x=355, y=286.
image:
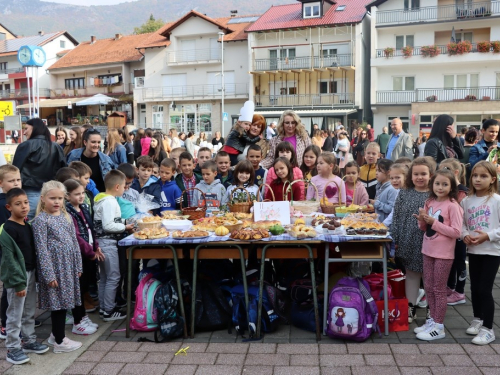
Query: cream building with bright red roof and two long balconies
x=313, y=57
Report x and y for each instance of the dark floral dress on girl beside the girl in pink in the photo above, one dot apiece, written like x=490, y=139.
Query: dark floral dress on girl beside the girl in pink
x=405, y=231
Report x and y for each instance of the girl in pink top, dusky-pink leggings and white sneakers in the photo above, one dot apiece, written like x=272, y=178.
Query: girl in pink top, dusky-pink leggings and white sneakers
x=441, y=221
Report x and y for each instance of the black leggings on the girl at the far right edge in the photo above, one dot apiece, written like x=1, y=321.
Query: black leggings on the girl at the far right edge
x=482, y=271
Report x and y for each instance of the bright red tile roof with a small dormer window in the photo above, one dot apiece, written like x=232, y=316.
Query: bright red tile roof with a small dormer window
x=290, y=16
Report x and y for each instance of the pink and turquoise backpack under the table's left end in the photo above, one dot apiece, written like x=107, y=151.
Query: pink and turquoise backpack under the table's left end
x=145, y=313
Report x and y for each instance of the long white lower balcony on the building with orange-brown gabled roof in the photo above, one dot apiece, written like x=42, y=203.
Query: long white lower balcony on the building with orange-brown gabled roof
x=232, y=90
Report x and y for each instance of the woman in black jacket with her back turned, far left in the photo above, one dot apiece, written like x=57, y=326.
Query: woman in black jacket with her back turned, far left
x=38, y=159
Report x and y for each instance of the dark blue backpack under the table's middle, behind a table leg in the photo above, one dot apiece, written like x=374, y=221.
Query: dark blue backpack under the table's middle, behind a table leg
x=270, y=319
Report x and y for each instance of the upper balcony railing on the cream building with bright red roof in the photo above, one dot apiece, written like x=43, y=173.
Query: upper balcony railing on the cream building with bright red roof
x=303, y=62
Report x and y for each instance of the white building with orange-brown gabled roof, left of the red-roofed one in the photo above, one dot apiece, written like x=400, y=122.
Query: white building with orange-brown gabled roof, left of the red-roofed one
x=184, y=61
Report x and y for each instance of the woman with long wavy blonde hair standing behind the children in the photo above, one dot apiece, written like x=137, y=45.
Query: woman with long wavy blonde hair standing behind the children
x=290, y=129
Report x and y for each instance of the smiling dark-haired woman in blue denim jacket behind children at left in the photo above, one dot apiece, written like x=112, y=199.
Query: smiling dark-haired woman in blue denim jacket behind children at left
x=99, y=163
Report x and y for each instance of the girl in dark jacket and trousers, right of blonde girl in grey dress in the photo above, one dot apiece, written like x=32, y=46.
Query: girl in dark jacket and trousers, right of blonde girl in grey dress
x=89, y=249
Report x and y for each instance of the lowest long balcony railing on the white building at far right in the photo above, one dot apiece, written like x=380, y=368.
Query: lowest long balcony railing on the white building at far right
x=439, y=95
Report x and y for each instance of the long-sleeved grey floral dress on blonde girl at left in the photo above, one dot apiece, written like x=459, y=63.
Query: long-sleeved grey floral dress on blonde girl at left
x=59, y=259
